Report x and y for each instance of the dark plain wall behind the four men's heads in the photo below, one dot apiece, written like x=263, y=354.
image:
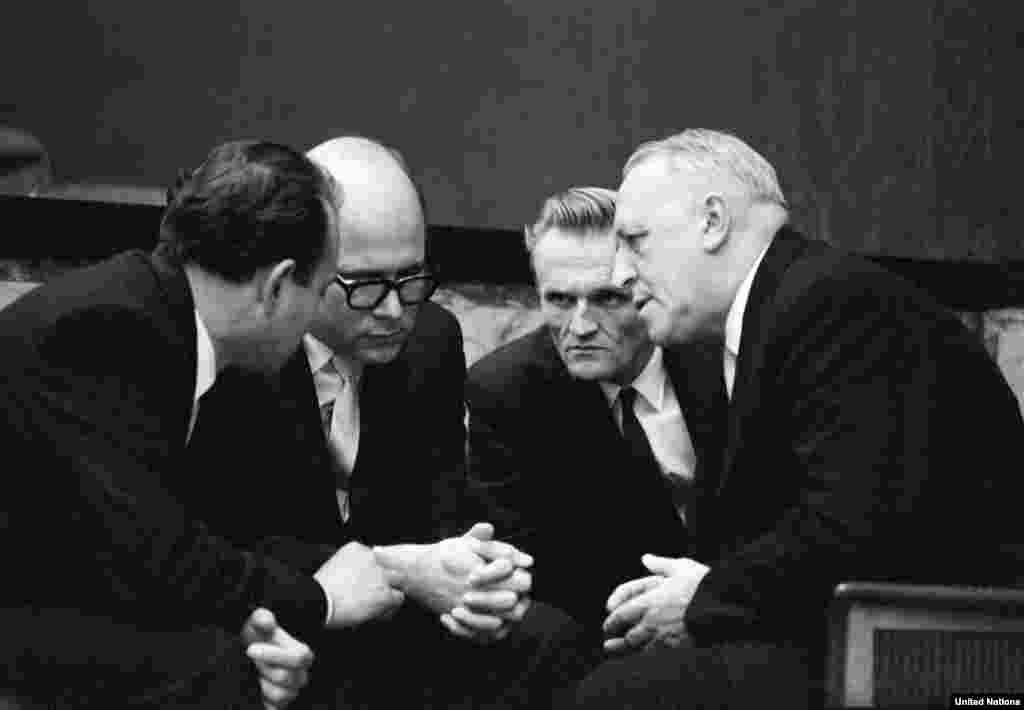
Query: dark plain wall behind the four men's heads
x=885, y=119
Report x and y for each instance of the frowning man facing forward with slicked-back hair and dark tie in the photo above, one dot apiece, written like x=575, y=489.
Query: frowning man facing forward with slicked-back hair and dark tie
x=554, y=456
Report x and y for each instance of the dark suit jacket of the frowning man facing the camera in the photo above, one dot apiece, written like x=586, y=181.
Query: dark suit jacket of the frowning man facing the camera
x=550, y=469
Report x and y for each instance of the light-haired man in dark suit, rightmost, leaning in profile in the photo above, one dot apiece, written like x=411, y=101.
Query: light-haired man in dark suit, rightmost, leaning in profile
x=868, y=436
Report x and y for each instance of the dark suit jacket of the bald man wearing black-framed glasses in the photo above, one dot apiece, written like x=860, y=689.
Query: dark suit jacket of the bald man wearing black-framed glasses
x=276, y=484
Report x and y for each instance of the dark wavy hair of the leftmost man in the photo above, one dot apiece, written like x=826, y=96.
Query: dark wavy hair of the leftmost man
x=250, y=205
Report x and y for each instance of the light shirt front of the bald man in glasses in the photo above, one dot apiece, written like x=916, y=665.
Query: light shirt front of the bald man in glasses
x=337, y=381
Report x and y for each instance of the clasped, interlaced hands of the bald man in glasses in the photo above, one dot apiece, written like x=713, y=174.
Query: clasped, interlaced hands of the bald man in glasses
x=478, y=586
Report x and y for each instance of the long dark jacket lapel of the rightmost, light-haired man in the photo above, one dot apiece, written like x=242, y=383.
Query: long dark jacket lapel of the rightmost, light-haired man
x=747, y=392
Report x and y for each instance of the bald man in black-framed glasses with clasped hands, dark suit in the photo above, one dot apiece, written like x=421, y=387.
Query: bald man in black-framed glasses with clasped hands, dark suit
x=367, y=422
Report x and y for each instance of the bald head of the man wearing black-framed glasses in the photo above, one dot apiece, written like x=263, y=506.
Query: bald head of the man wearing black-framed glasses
x=383, y=237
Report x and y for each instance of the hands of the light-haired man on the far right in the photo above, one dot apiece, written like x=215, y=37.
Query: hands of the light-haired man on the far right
x=650, y=610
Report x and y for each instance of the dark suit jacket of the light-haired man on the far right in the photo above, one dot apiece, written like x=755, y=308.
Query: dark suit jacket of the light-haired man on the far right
x=871, y=437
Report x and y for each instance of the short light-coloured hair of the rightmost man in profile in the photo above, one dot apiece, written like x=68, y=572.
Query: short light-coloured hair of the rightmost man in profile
x=703, y=150
